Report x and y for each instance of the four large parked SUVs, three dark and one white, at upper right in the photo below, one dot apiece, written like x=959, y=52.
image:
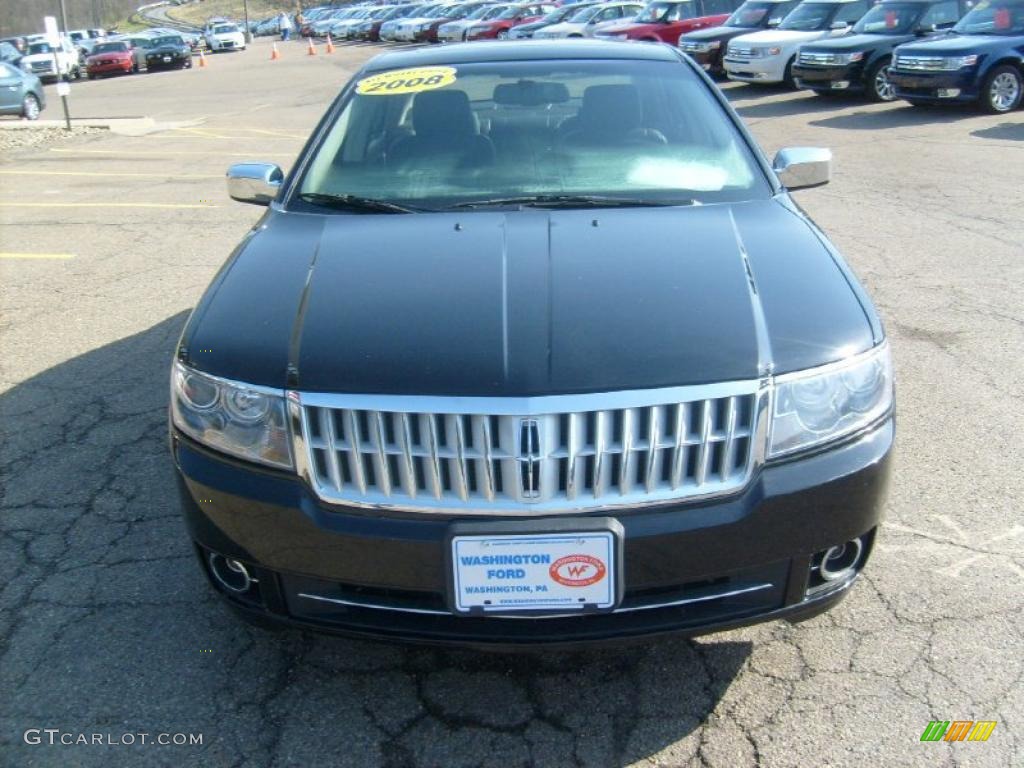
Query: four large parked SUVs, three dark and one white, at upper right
x=922, y=52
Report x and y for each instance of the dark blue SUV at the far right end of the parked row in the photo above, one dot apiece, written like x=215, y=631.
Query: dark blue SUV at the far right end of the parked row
x=983, y=61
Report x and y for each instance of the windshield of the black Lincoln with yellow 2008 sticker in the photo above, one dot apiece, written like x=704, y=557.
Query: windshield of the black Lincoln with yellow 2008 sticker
x=650, y=133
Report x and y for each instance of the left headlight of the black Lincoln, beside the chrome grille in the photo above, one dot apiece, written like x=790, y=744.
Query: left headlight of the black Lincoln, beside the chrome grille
x=242, y=420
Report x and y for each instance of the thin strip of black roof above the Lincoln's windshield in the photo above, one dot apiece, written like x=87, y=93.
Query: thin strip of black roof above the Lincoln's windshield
x=521, y=51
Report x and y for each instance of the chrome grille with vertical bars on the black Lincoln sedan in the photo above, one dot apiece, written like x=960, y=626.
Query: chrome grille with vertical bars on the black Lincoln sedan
x=527, y=457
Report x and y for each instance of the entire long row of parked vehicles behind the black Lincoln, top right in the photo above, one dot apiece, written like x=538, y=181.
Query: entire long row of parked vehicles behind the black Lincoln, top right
x=923, y=52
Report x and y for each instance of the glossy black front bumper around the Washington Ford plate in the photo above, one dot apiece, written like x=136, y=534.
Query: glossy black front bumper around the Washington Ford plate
x=688, y=568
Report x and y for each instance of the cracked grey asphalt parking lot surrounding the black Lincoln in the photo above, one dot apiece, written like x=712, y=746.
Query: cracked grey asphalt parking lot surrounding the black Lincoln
x=107, y=626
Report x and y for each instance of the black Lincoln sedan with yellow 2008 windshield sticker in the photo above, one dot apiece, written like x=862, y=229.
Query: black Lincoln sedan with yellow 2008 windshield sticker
x=533, y=332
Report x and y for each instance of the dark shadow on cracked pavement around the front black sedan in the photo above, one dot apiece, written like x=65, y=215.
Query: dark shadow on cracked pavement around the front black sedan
x=108, y=626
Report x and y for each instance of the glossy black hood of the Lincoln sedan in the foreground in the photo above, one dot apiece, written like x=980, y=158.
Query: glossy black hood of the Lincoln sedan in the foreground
x=528, y=303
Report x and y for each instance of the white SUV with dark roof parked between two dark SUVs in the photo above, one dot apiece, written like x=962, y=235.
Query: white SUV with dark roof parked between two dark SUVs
x=767, y=57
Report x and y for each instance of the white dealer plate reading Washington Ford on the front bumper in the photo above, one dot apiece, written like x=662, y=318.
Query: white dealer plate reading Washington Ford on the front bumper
x=547, y=572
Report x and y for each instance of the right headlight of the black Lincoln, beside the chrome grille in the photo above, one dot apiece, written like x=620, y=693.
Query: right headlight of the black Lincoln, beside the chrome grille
x=826, y=404
